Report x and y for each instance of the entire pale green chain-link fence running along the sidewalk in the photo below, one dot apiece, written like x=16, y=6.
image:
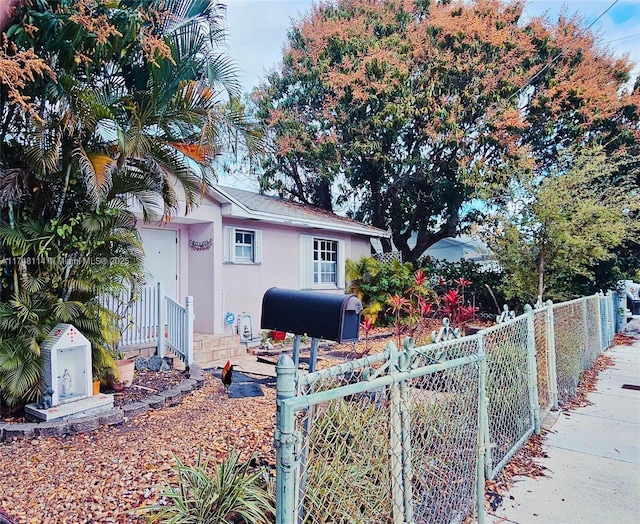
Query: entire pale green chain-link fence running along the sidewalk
x=410, y=434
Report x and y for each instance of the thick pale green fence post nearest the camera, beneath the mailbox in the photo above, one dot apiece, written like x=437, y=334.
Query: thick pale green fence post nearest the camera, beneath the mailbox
x=284, y=442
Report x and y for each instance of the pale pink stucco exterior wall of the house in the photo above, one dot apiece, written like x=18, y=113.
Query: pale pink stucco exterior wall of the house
x=218, y=287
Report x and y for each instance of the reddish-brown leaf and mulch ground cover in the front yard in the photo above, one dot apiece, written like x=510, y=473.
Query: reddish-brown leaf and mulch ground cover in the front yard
x=103, y=475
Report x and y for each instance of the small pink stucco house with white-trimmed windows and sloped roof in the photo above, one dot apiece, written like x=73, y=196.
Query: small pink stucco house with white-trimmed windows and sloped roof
x=237, y=244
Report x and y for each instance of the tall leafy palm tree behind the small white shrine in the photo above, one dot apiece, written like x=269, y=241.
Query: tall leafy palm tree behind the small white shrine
x=138, y=99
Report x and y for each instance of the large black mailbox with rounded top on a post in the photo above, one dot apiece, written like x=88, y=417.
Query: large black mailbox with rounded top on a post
x=316, y=314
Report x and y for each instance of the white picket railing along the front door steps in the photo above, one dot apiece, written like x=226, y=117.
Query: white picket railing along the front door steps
x=142, y=315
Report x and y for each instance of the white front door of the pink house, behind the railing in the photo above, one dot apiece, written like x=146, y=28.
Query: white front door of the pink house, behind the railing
x=161, y=258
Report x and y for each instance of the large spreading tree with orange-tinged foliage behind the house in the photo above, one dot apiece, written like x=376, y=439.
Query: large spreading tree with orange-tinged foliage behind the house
x=408, y=112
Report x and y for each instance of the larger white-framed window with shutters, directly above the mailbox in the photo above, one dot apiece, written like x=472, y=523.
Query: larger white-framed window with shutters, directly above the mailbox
x=321, y=263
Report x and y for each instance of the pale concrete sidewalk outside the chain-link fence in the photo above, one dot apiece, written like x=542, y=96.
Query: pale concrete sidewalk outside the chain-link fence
x=593, y=462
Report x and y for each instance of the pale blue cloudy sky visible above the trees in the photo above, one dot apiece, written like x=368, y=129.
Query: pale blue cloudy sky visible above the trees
x=258, y=28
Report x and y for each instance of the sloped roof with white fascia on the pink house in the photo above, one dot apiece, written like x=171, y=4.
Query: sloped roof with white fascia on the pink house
x=239, y=203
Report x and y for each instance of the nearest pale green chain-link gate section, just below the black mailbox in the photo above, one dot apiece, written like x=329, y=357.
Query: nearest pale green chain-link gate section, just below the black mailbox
x=384, y=439
